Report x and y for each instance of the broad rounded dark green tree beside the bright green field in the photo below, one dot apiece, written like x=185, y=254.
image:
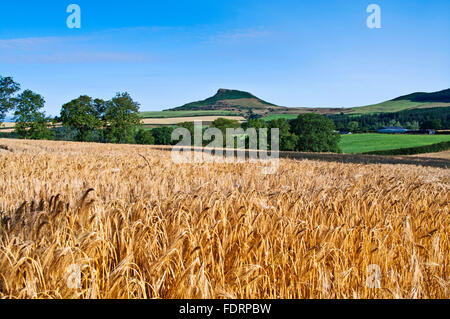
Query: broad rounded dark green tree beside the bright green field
x=315, y=133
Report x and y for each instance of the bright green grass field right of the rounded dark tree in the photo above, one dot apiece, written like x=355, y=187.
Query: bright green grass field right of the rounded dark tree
x=360, y=143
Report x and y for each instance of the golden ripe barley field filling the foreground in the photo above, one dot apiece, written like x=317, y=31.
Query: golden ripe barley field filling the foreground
x=117, y=221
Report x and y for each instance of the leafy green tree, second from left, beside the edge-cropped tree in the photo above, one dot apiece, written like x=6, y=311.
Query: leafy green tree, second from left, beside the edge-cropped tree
x=31, y=122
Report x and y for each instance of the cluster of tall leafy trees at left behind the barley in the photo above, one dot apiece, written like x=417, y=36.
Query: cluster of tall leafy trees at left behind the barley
x=83, y=119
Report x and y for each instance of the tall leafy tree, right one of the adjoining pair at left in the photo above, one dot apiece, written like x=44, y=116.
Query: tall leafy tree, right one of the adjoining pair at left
x=122, y=117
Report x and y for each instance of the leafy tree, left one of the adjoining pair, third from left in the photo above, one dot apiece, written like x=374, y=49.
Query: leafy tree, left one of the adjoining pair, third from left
x=81, y=115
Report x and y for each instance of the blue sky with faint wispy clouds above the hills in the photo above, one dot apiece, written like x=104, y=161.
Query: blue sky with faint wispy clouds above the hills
x=167, y=53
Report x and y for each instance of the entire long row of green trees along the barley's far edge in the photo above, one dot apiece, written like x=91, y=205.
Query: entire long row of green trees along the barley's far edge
x=117, y=120
